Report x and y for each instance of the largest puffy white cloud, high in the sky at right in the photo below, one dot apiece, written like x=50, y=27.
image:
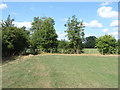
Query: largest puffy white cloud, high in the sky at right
x=107, y=12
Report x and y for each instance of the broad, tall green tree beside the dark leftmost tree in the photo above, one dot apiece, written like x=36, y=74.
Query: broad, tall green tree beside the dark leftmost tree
x=44, y=36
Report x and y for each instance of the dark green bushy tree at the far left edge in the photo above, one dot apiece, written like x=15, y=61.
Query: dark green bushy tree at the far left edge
x=14, y=39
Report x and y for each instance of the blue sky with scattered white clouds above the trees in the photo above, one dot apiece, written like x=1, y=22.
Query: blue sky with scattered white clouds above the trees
x=100, y=18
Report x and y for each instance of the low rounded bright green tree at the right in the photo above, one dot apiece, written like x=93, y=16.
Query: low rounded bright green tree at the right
x=106, y=44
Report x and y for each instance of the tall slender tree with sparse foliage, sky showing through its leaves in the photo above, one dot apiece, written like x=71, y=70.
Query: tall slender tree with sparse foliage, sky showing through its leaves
x=75, y=33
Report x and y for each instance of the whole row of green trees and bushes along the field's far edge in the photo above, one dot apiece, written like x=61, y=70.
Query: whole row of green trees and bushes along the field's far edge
x=42, y=37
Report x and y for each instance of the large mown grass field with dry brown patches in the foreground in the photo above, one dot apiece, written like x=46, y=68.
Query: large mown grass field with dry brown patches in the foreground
x=60, y=71
